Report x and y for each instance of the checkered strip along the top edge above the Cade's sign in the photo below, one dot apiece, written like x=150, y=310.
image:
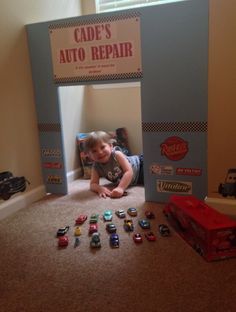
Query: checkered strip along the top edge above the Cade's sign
x=97, y=19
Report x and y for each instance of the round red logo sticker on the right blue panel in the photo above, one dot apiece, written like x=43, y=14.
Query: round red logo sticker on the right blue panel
x=174, y=148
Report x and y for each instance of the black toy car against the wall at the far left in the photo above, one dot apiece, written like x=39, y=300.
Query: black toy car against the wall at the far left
x=10, y=185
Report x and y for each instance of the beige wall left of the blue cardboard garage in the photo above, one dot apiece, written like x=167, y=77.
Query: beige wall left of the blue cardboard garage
x=19, y=143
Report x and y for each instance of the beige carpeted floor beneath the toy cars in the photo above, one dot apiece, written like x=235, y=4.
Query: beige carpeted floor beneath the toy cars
x=166, y=275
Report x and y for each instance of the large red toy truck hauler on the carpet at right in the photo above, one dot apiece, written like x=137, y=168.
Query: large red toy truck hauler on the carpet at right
x=211, y=233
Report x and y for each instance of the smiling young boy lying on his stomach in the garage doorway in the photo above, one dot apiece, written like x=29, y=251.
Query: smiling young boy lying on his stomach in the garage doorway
x=116, y=167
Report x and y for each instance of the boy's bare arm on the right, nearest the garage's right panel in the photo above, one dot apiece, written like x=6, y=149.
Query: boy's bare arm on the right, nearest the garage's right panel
x=127, y=175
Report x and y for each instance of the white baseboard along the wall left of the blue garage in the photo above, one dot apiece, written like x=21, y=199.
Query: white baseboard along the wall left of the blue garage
x=20, y=201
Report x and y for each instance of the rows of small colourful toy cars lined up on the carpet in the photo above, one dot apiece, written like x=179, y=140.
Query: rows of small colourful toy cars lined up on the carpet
x=95, y=242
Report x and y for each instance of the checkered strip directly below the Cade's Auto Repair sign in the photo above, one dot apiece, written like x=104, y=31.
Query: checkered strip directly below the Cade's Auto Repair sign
x=98, y=77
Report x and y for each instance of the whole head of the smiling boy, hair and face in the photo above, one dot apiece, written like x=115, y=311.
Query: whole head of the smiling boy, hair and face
x=98, y=145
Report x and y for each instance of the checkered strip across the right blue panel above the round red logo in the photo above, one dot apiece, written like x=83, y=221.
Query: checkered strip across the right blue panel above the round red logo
x=188, y=126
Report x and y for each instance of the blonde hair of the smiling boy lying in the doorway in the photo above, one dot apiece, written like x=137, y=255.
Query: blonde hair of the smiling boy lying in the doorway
x=96, y=137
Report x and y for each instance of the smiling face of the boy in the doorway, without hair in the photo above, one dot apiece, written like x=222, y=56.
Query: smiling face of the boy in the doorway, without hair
x=101, y=152
